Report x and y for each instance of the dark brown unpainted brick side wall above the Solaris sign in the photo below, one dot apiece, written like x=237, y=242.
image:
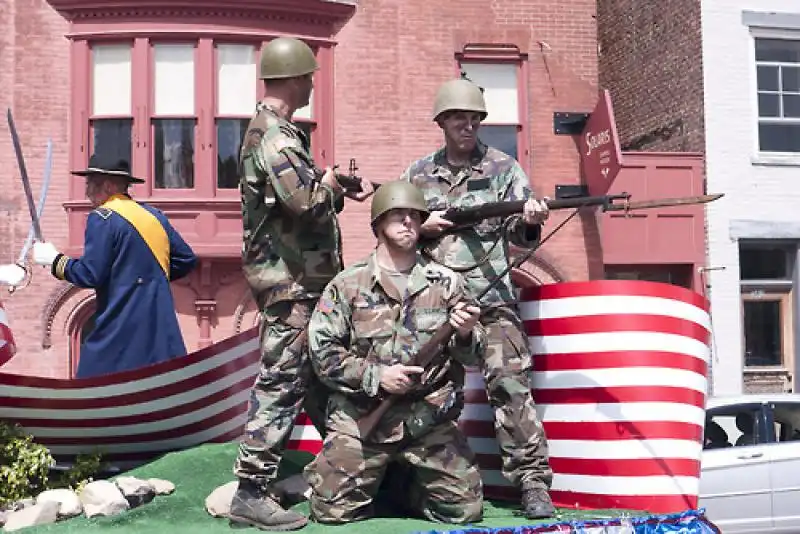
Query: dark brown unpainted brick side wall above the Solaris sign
x=650, y=60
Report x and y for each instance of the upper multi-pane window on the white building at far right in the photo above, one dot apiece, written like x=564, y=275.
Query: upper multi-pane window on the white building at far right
x=778, y=82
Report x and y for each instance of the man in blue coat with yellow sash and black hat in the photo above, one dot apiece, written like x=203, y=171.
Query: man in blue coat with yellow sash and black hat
x=131, y=254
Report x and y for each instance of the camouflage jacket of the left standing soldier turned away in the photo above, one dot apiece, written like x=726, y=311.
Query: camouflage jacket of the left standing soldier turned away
x=292, y=243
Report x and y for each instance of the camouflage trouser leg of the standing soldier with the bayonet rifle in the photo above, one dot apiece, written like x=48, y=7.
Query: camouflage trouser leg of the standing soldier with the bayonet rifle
x=520, y=435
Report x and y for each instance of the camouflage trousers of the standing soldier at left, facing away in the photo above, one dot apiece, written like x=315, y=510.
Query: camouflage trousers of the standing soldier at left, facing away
x=284, y=385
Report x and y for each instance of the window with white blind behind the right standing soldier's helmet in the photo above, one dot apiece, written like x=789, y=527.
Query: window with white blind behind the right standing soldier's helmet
x=501, y=127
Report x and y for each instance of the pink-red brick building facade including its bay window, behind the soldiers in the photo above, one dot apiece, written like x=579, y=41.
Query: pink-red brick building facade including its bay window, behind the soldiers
x=161, y=76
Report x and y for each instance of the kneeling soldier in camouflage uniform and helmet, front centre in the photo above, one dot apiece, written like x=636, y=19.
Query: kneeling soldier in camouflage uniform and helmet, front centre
x=364, y=334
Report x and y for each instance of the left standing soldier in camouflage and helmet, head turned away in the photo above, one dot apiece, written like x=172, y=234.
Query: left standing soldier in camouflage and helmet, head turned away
x=292, y=249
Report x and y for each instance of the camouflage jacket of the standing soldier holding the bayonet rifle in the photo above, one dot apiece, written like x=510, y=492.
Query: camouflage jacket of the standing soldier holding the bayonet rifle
x=492, y=177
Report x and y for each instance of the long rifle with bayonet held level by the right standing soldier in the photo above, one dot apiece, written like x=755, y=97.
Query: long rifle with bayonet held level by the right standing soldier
x=472, y=215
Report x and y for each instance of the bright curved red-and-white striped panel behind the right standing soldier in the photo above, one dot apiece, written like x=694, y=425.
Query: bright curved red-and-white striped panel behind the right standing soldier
x=620, y=382
